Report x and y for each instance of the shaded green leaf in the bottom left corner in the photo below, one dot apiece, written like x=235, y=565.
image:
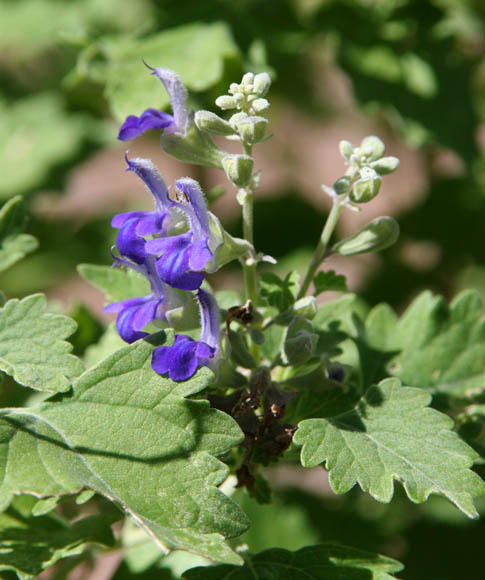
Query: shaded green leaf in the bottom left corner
x=30, y=545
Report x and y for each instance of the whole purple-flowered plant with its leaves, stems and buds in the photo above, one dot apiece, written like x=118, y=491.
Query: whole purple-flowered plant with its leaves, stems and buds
x=191, y=398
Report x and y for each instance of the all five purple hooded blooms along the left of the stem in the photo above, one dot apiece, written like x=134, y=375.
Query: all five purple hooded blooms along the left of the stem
x=171, y=247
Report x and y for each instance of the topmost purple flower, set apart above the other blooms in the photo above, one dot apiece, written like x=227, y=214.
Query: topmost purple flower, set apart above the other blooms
x=152, y=118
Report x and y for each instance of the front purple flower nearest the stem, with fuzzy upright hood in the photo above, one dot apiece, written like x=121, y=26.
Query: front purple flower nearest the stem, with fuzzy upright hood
x=183, y=256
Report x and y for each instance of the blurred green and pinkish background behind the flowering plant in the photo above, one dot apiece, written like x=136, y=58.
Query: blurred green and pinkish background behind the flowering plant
x=410, y=71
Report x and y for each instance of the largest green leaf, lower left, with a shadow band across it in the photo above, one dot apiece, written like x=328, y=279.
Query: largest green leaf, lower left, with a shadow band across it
x=129, y=434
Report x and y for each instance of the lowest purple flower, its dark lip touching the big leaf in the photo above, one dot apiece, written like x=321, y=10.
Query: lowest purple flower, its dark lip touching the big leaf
x=186, y=355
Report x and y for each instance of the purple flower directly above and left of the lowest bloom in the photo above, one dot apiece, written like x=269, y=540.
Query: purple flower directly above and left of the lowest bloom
x=135, y=314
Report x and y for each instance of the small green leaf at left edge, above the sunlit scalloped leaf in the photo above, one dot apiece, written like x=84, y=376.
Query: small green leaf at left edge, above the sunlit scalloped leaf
x=14, y=245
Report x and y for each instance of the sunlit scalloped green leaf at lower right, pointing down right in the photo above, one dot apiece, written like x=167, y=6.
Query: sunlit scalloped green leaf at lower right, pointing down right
x=391, y=434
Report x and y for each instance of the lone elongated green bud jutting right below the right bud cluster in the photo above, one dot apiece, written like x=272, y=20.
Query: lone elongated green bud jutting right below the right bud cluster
x=377, y=235
